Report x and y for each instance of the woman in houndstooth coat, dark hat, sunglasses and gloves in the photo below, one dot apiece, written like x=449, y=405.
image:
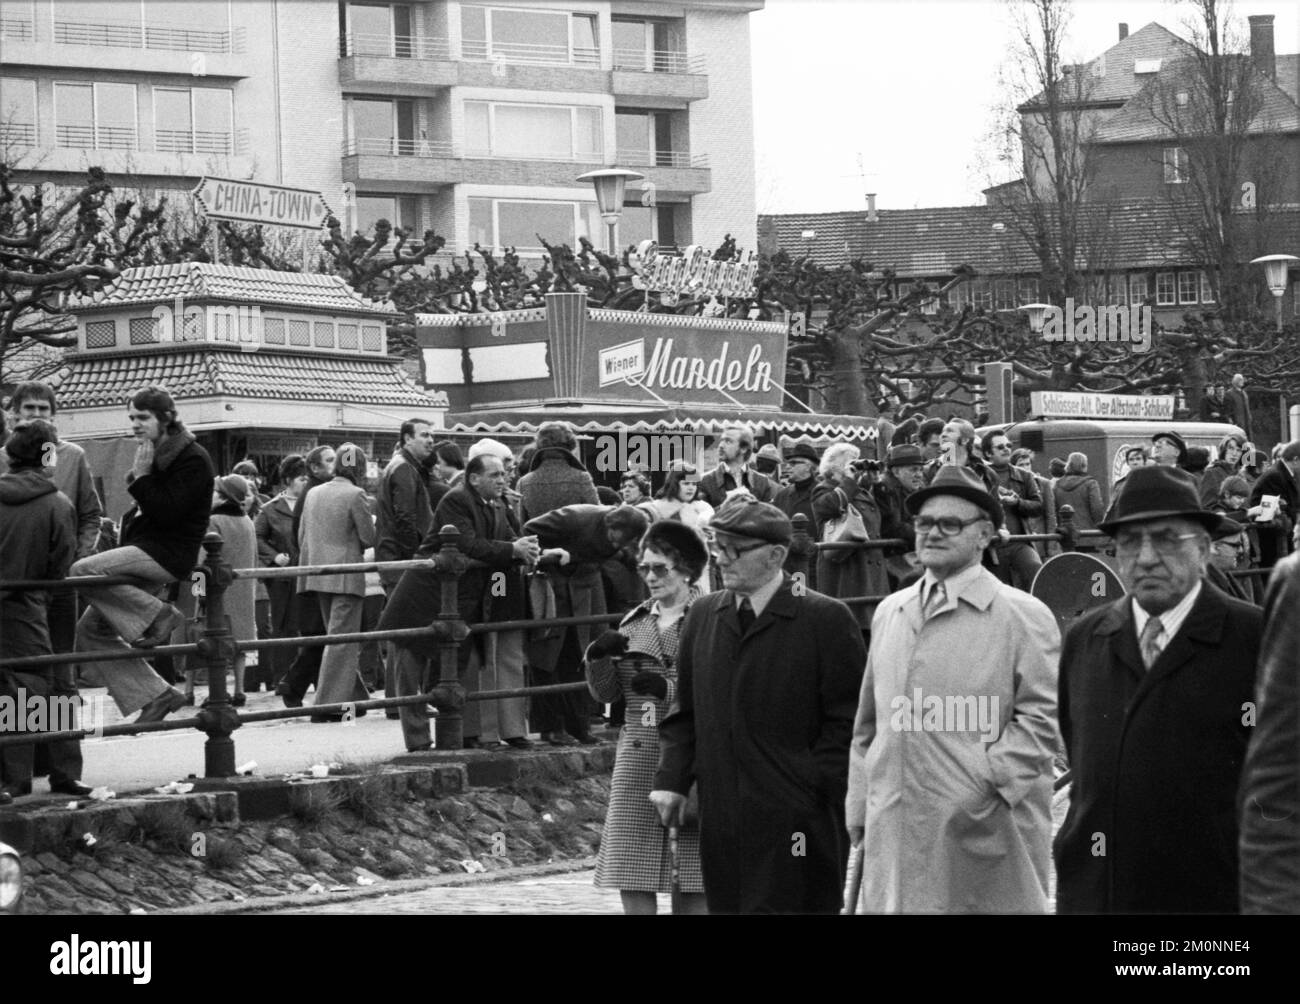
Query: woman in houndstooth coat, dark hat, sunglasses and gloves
x=639, y=664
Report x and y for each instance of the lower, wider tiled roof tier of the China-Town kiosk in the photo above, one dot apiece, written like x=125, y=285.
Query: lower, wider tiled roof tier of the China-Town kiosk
x=105, y=380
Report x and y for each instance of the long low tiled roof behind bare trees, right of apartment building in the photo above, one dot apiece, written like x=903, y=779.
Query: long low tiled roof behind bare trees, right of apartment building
x=934, y=243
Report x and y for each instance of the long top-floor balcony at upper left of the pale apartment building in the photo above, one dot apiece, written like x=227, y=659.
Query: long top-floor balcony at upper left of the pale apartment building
x=118, y=45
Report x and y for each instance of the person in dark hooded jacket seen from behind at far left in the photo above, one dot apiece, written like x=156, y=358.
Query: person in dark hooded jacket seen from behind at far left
x=38, y=538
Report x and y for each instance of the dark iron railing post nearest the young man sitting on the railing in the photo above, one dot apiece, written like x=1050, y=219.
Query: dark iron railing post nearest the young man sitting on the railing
x=218, y=650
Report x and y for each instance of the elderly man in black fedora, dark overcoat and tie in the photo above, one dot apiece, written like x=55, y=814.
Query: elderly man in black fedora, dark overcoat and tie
x=1155, y=699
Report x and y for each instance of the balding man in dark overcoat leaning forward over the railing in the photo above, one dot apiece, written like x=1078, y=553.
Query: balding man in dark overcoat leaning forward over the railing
x=495, y=591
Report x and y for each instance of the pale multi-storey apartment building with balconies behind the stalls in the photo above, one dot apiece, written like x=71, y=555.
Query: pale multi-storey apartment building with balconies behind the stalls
x=470, y=119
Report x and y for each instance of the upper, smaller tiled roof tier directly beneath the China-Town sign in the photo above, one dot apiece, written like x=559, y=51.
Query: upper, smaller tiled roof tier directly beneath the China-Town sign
x=198, y=280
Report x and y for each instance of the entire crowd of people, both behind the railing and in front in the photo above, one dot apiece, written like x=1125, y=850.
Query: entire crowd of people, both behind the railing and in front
x=778, y=730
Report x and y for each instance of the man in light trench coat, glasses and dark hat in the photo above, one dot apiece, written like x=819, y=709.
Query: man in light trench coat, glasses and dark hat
x=951, y=764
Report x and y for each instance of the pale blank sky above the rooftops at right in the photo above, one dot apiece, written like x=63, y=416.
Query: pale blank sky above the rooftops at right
x=909, y=89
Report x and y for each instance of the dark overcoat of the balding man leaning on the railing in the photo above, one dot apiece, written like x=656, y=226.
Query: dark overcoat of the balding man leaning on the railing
x=418, y=595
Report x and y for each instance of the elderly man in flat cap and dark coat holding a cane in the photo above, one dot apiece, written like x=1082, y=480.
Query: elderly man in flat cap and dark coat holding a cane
x=768, y=681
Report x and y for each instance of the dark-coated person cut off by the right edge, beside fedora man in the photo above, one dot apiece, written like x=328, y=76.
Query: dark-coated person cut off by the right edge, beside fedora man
x=1271, y=786
